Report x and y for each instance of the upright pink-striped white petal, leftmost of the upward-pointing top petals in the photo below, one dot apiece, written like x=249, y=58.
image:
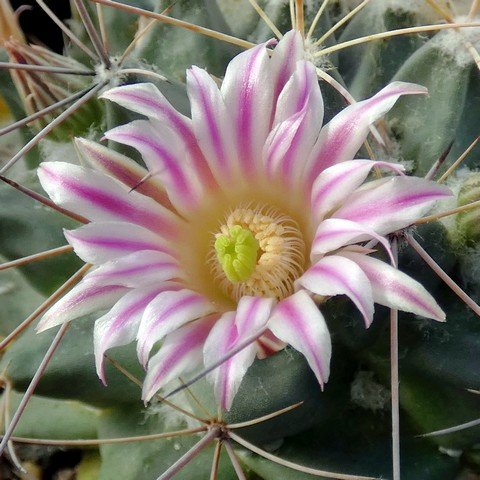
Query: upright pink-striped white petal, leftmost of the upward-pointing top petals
x=212, y=125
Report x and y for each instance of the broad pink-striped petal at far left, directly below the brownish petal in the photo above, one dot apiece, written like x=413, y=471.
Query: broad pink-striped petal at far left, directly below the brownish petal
x=99, y=197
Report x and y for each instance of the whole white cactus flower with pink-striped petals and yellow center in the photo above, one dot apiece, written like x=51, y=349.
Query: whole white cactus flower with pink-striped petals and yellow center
x=248, y=214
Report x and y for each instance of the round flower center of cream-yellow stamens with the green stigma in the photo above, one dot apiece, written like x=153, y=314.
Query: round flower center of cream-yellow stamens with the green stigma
x=257, y=251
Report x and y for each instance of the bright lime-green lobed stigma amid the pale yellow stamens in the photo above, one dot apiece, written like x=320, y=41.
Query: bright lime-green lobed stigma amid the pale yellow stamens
x=237, y=253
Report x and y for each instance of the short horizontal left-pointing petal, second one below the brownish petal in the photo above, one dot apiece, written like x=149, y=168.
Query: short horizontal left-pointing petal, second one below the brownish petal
x=101, y=242
